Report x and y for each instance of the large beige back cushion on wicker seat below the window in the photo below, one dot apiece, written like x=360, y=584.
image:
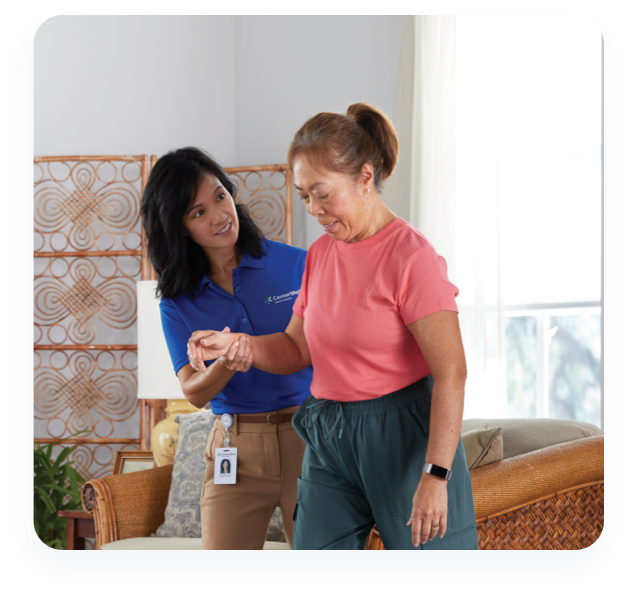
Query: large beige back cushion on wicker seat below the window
x=520, y=436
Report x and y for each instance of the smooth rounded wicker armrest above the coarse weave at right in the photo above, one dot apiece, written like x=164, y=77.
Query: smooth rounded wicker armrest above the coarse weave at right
x=511, y=483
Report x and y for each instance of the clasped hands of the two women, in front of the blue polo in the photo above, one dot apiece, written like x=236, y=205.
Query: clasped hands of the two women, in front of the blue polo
x=232, y=350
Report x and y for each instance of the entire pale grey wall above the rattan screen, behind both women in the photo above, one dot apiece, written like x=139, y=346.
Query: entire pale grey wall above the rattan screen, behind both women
x=238, y=86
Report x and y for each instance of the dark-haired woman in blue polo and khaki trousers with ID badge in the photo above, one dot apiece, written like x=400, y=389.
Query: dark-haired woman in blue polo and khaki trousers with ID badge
x=215, y=269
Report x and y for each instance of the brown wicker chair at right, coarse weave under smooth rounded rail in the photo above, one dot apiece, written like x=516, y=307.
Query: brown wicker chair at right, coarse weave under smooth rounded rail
x=549, y=499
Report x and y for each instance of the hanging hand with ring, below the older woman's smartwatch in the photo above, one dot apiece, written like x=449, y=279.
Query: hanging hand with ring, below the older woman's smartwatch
x=429, y=509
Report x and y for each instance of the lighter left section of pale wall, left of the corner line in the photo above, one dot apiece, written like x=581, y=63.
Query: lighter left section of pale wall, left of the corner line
x=129, y=84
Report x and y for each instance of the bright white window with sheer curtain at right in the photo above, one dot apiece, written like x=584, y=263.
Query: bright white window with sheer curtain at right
x=506, y=184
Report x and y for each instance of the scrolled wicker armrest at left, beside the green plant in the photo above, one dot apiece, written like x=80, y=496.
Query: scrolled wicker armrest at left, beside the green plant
x=129, y=504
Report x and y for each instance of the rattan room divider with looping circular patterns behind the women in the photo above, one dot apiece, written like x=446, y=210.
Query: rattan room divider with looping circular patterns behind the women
x=88, y=253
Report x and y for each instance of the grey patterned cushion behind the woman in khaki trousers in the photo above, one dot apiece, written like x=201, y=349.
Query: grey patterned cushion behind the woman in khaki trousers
x=182, y=517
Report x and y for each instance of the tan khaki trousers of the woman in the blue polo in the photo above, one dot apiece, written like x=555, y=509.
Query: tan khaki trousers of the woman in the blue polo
x=269, y=458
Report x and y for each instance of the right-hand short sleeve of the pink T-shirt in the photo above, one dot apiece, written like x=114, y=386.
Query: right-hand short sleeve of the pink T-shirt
x=424, y=286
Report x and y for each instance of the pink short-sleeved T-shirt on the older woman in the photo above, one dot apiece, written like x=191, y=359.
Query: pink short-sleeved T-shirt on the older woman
x=356, y=300
